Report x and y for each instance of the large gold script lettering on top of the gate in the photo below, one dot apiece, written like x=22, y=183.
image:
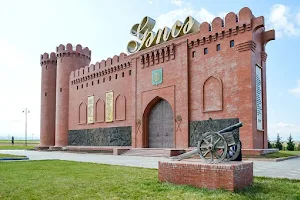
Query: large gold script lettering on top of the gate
x=143, y=31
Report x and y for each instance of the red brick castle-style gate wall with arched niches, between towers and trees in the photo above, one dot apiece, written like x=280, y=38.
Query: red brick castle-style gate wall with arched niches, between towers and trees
x=208, y=74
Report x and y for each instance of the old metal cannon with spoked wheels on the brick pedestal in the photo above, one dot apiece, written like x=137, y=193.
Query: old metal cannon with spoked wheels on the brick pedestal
x=215, y=147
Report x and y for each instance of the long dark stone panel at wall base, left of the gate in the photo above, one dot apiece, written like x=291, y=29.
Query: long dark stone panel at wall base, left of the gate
x=114, y=136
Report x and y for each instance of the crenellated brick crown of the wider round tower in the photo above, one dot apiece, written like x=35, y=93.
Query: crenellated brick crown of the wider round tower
x=69, y=50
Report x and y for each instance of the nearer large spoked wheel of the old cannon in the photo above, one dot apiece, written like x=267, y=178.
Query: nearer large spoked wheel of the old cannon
x=214, y=144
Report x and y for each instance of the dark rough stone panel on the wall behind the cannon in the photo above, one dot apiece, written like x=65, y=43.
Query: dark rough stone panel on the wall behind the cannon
x=197, y=128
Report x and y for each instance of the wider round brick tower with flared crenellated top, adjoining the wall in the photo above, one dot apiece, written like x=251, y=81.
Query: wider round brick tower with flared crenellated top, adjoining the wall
x=68, y=59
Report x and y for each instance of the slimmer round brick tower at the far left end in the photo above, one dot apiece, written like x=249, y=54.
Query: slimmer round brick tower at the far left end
x=48, y=93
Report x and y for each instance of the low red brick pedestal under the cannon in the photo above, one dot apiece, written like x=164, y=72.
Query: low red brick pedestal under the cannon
x=227, y=175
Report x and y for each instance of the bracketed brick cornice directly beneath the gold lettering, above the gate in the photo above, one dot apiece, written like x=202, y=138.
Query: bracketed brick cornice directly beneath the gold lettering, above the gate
x=157, y=56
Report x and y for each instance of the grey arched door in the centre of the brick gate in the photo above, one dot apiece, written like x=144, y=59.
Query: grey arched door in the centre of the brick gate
x=161, y=126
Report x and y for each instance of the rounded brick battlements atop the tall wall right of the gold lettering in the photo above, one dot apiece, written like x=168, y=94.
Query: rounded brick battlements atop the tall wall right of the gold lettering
x=231, y=25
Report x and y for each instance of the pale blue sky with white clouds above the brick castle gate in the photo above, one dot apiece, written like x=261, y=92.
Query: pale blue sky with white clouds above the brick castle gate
x=30, y=28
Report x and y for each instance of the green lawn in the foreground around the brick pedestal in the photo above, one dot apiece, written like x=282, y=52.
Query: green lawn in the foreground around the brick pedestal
x=76, y=180
